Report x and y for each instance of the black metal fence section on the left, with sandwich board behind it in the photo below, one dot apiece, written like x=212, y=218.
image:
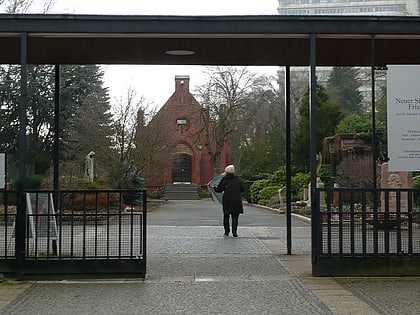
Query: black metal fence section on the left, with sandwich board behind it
x=69, y=233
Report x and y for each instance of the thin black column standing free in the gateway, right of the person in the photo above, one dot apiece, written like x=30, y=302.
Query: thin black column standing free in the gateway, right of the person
x=288, y=161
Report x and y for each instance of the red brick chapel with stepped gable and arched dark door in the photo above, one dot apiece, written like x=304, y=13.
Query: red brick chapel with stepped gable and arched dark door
x=179, y=125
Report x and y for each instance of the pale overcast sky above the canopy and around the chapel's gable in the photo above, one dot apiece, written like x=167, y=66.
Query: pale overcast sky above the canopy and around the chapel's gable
x=157, y=83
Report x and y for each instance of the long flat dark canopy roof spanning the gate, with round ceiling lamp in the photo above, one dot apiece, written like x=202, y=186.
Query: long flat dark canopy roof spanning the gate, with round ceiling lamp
x=212, y=40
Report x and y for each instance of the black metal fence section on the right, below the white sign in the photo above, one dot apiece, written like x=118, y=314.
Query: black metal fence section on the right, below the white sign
x=367, y=232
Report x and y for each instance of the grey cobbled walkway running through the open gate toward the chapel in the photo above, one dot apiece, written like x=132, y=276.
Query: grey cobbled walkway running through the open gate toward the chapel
x=193, y=269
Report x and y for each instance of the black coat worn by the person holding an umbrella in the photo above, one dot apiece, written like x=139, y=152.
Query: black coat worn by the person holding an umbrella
x=232, y=187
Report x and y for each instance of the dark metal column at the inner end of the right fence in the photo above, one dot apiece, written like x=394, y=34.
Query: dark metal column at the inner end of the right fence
x=313, y=151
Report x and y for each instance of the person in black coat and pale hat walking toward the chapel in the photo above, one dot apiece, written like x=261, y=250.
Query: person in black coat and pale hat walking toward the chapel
x=232, y=186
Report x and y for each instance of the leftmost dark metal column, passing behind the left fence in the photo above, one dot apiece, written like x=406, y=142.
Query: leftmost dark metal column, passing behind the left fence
x=20, y=227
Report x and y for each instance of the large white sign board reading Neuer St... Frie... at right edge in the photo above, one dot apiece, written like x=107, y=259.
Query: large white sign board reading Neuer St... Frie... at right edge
x=403, y=115
